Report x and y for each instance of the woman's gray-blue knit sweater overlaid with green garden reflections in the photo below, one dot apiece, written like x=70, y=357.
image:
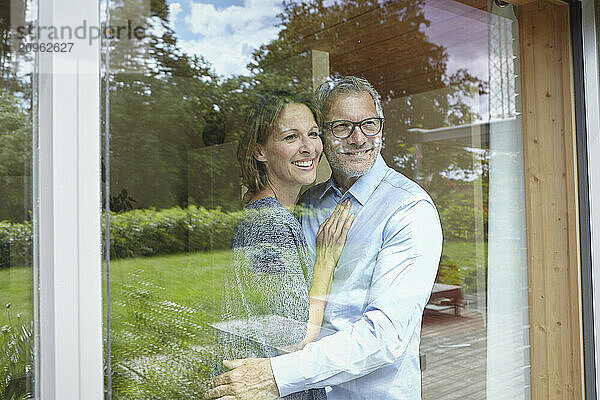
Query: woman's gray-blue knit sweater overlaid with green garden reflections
x=266, y=288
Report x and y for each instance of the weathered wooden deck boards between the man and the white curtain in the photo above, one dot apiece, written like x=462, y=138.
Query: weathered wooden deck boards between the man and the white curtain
x=455, y=356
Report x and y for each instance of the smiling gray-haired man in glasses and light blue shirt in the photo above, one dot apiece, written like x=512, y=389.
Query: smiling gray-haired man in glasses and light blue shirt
x=382, y=281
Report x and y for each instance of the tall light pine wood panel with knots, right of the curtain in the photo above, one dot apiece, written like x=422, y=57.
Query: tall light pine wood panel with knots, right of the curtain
x=552, y=227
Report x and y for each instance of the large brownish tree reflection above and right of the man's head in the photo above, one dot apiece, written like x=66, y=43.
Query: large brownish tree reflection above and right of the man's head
x=386, y=42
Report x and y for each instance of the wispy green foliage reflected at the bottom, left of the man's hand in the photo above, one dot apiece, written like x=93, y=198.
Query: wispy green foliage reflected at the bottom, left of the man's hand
x=157, y=354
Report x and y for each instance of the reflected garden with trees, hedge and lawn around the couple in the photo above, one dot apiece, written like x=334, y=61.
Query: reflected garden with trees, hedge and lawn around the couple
x=174, y=180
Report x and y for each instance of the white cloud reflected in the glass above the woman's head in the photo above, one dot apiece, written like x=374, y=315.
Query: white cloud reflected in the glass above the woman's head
x=227, y=36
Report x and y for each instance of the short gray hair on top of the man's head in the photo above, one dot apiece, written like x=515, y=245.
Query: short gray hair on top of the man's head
x=345, y=85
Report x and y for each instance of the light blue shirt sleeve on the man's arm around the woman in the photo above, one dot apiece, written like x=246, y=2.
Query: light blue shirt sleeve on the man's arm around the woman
x=401, y=285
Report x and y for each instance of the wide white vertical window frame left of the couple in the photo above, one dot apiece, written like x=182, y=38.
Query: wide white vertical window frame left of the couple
x=67, y=210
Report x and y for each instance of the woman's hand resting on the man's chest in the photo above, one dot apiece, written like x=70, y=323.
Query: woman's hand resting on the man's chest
x=331, y=235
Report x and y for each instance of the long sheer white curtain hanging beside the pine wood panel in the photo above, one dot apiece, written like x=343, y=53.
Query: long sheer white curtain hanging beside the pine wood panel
x=508, y=321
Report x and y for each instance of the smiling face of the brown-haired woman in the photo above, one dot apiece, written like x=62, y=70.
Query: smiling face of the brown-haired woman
x=293, y=148
